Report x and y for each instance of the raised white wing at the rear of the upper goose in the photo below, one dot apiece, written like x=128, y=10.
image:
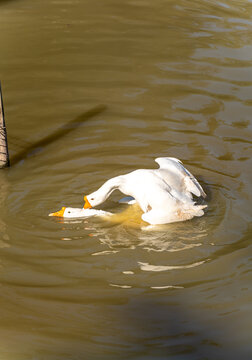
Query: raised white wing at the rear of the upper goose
x=174, y=169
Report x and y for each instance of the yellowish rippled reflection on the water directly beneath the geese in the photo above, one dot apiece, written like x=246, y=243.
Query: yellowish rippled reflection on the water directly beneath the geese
x=127, y=230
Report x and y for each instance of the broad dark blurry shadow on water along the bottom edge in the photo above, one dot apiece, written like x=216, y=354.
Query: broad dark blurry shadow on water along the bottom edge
x=148, y=328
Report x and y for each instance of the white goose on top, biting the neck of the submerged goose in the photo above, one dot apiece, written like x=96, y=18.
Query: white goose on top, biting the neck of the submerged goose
x=164, y=194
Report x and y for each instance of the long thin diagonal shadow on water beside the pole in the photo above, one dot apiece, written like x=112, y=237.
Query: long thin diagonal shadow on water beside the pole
x=59, y=133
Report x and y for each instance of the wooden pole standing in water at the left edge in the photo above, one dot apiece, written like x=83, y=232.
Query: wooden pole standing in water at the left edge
x=4, y=154
